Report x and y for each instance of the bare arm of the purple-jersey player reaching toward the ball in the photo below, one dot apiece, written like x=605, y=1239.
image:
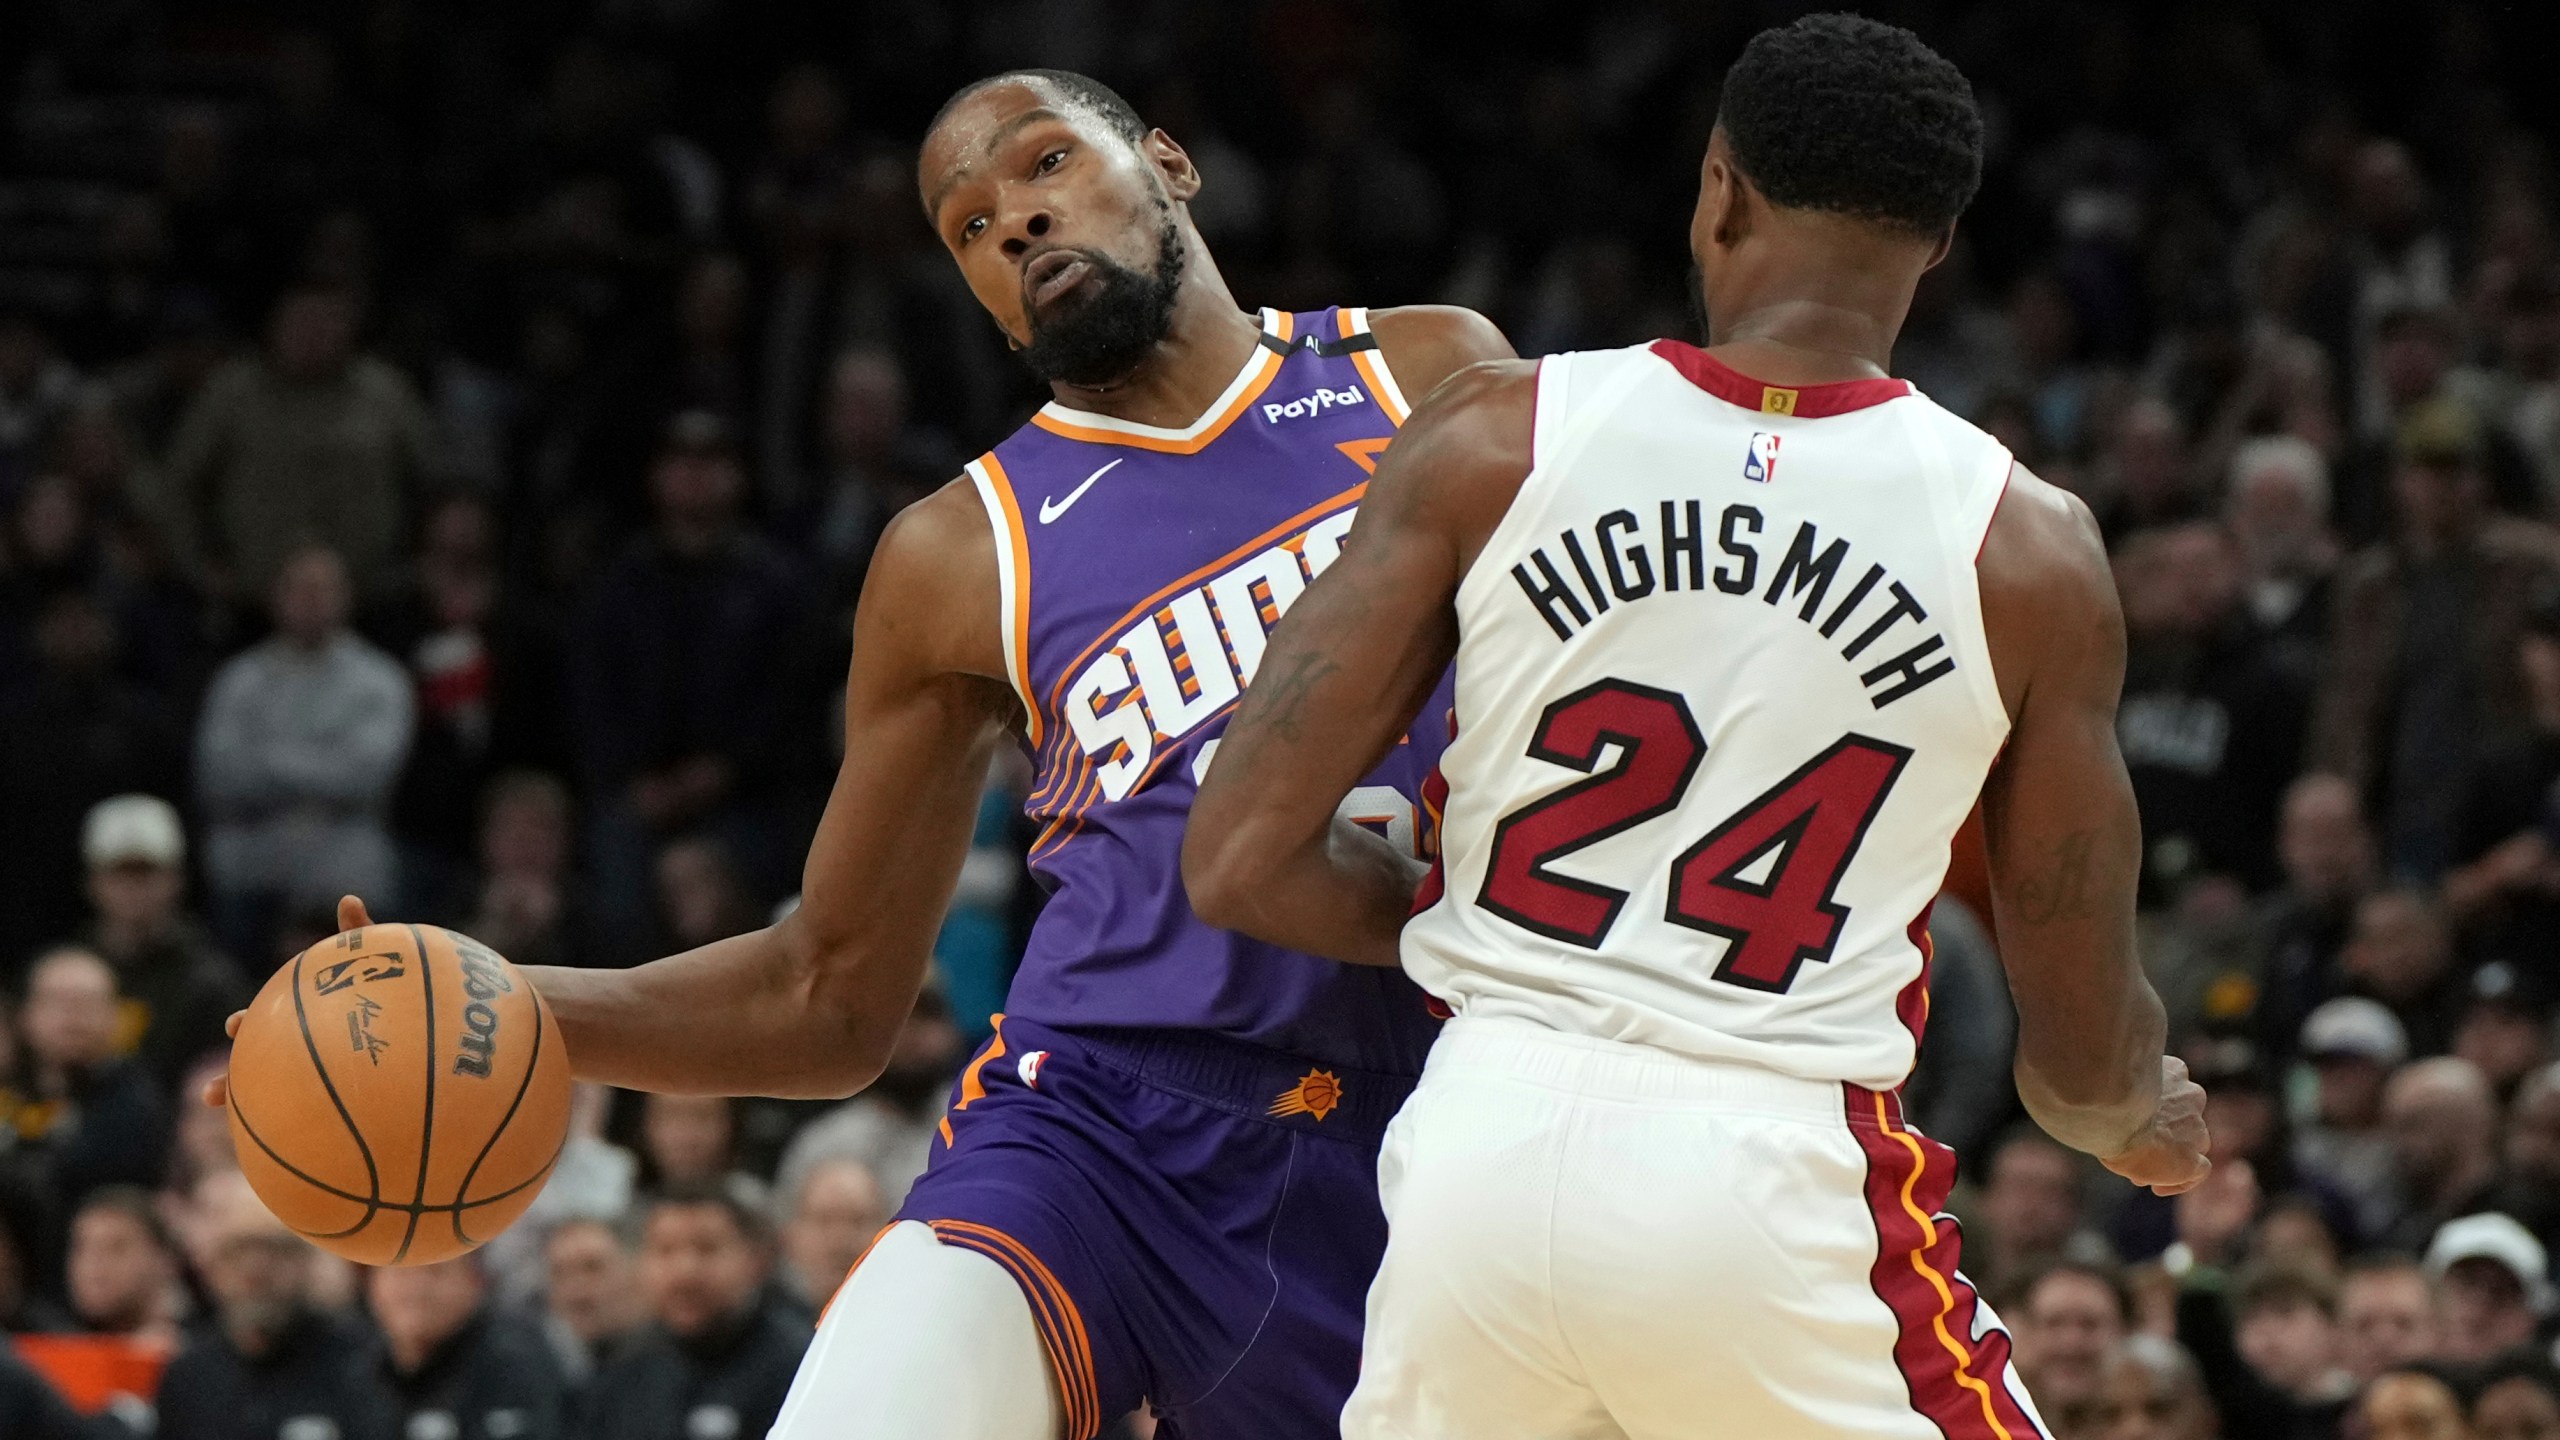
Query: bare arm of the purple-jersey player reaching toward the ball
x=810, y=1006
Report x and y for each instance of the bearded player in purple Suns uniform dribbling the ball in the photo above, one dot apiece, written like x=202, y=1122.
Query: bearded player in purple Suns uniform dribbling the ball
x=1158, y=1180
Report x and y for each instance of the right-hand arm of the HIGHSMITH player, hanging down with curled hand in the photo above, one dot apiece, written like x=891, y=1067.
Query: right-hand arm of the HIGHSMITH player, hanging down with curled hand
x=2067, y=849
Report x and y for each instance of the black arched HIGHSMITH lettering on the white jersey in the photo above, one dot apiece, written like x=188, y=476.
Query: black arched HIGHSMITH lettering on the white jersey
x=1614, y=562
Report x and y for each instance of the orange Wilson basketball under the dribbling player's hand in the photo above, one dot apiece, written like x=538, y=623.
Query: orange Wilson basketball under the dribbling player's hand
x=398, y=1095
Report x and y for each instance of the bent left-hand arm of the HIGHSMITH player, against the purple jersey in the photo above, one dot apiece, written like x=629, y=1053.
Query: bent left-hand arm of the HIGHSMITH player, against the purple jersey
x=1345, y=673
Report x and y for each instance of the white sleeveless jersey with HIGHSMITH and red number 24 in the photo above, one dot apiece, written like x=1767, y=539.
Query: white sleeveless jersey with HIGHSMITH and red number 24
x=1722, y=703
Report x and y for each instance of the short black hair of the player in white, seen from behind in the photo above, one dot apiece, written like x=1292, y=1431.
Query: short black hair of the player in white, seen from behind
x=1860, y=119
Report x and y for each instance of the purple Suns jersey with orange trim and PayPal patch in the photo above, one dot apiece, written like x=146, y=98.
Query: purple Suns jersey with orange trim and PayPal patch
x=1140, y=578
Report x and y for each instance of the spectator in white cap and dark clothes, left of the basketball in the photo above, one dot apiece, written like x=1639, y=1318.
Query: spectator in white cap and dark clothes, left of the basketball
x=178, y=985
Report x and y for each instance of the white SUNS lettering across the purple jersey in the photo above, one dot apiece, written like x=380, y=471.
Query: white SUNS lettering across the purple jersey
x=1192, y=657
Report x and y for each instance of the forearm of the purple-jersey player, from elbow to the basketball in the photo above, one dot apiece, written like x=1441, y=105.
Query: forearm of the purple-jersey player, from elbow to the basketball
x=741, y=1016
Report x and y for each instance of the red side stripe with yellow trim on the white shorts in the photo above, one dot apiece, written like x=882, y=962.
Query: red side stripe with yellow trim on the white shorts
x=1962, y=1385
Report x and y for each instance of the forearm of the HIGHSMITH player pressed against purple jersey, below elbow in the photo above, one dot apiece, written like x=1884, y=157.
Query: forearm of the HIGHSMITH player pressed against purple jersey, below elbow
x=1343, y=896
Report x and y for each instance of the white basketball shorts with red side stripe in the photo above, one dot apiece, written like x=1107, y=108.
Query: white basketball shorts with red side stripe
x=1604, y=1241
